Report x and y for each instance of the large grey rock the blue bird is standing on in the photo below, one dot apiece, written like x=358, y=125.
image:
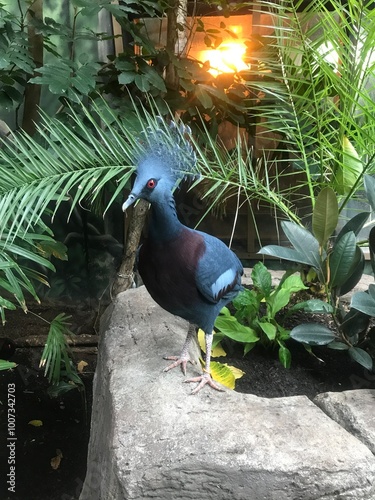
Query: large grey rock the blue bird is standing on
x=151, y=439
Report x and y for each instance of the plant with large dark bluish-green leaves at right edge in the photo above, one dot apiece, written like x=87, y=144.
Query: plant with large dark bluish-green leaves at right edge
x=338, y=262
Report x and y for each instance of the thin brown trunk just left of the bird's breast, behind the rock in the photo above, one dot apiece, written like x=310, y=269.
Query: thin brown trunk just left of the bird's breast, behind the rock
x=125, y=276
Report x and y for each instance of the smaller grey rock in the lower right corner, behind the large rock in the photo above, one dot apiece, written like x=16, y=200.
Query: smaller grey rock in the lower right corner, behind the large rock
x=353, y=410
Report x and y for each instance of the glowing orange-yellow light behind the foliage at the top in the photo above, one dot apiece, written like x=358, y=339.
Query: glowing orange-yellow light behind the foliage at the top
x=228, y=58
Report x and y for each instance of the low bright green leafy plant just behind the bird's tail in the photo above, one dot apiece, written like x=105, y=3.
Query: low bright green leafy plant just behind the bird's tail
x=257, y=313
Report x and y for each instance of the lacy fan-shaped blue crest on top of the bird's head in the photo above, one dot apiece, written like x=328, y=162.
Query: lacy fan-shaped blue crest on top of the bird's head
x=167, y=151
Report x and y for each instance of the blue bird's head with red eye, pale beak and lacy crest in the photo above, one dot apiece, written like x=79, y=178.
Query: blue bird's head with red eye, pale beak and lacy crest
x=167, y=158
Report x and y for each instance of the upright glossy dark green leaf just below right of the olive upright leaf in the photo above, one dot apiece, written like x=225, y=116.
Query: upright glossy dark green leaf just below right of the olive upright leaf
x=343, y=259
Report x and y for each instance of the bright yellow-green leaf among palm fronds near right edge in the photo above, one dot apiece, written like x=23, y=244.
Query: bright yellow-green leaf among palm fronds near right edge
x=350, y=170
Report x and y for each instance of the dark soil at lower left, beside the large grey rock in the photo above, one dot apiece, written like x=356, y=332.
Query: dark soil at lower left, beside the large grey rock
x=65, y=419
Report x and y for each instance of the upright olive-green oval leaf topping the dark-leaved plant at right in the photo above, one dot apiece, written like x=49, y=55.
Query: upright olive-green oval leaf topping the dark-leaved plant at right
x=325, y=215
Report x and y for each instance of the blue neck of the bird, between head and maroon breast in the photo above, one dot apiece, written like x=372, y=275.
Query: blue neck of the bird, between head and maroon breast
x=164, y=223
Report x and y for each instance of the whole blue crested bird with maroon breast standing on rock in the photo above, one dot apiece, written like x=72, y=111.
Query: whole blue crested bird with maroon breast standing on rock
x=189, y=273
